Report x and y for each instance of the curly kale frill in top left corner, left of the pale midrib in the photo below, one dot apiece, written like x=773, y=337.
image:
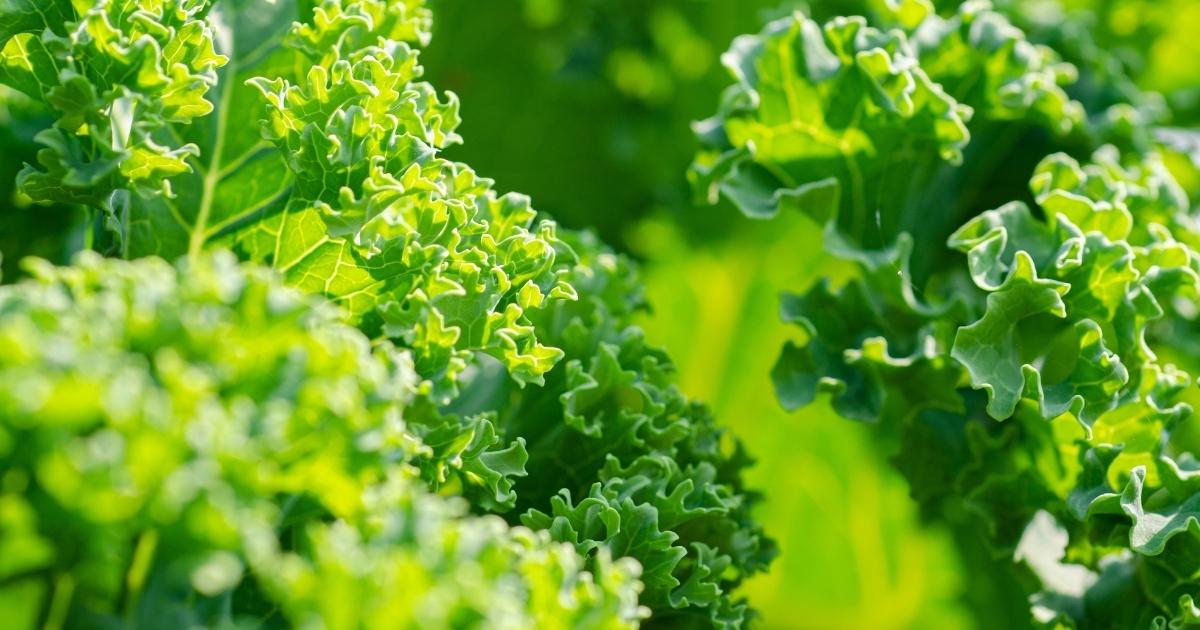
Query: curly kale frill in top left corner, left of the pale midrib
x=117, y=75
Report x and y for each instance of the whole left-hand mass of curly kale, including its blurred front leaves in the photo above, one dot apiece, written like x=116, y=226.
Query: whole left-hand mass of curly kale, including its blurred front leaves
x=502, y=368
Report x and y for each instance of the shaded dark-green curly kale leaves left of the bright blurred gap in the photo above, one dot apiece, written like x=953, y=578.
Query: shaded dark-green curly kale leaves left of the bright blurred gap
x=649, y=471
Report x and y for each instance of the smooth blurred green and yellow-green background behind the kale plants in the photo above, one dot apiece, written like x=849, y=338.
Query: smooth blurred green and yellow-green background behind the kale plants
x=585, y=105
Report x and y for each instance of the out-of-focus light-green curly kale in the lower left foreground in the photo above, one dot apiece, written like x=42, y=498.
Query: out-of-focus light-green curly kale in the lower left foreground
x=203, y=447
